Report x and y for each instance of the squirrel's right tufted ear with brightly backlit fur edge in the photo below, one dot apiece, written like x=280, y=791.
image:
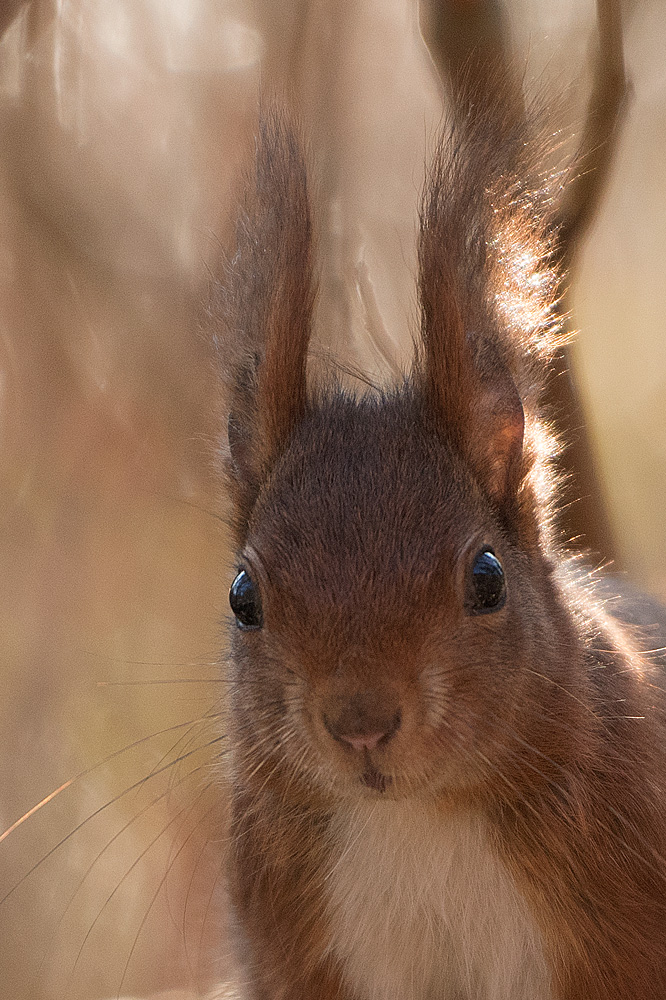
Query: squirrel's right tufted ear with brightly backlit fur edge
x=486, y=291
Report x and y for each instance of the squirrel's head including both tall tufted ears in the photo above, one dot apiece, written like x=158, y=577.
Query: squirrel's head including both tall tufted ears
x=394, y=601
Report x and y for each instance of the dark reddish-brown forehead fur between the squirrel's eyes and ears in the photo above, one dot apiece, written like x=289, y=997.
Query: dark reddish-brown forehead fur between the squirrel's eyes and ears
x=366, y=495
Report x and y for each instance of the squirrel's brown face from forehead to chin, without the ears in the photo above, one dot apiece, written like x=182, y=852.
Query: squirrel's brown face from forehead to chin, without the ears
x=393, y=653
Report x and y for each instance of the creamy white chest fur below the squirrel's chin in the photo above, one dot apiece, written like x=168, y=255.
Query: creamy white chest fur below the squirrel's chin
x=422, y=909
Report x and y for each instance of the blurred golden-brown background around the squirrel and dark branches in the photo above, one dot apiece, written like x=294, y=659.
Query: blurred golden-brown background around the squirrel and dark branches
x=124, y=127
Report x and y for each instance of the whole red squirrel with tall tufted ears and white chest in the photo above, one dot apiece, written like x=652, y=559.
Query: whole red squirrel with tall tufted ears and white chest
x=447, y=758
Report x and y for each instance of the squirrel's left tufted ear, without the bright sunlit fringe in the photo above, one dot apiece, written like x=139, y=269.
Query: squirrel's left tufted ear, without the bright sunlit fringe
x=267, y=304
